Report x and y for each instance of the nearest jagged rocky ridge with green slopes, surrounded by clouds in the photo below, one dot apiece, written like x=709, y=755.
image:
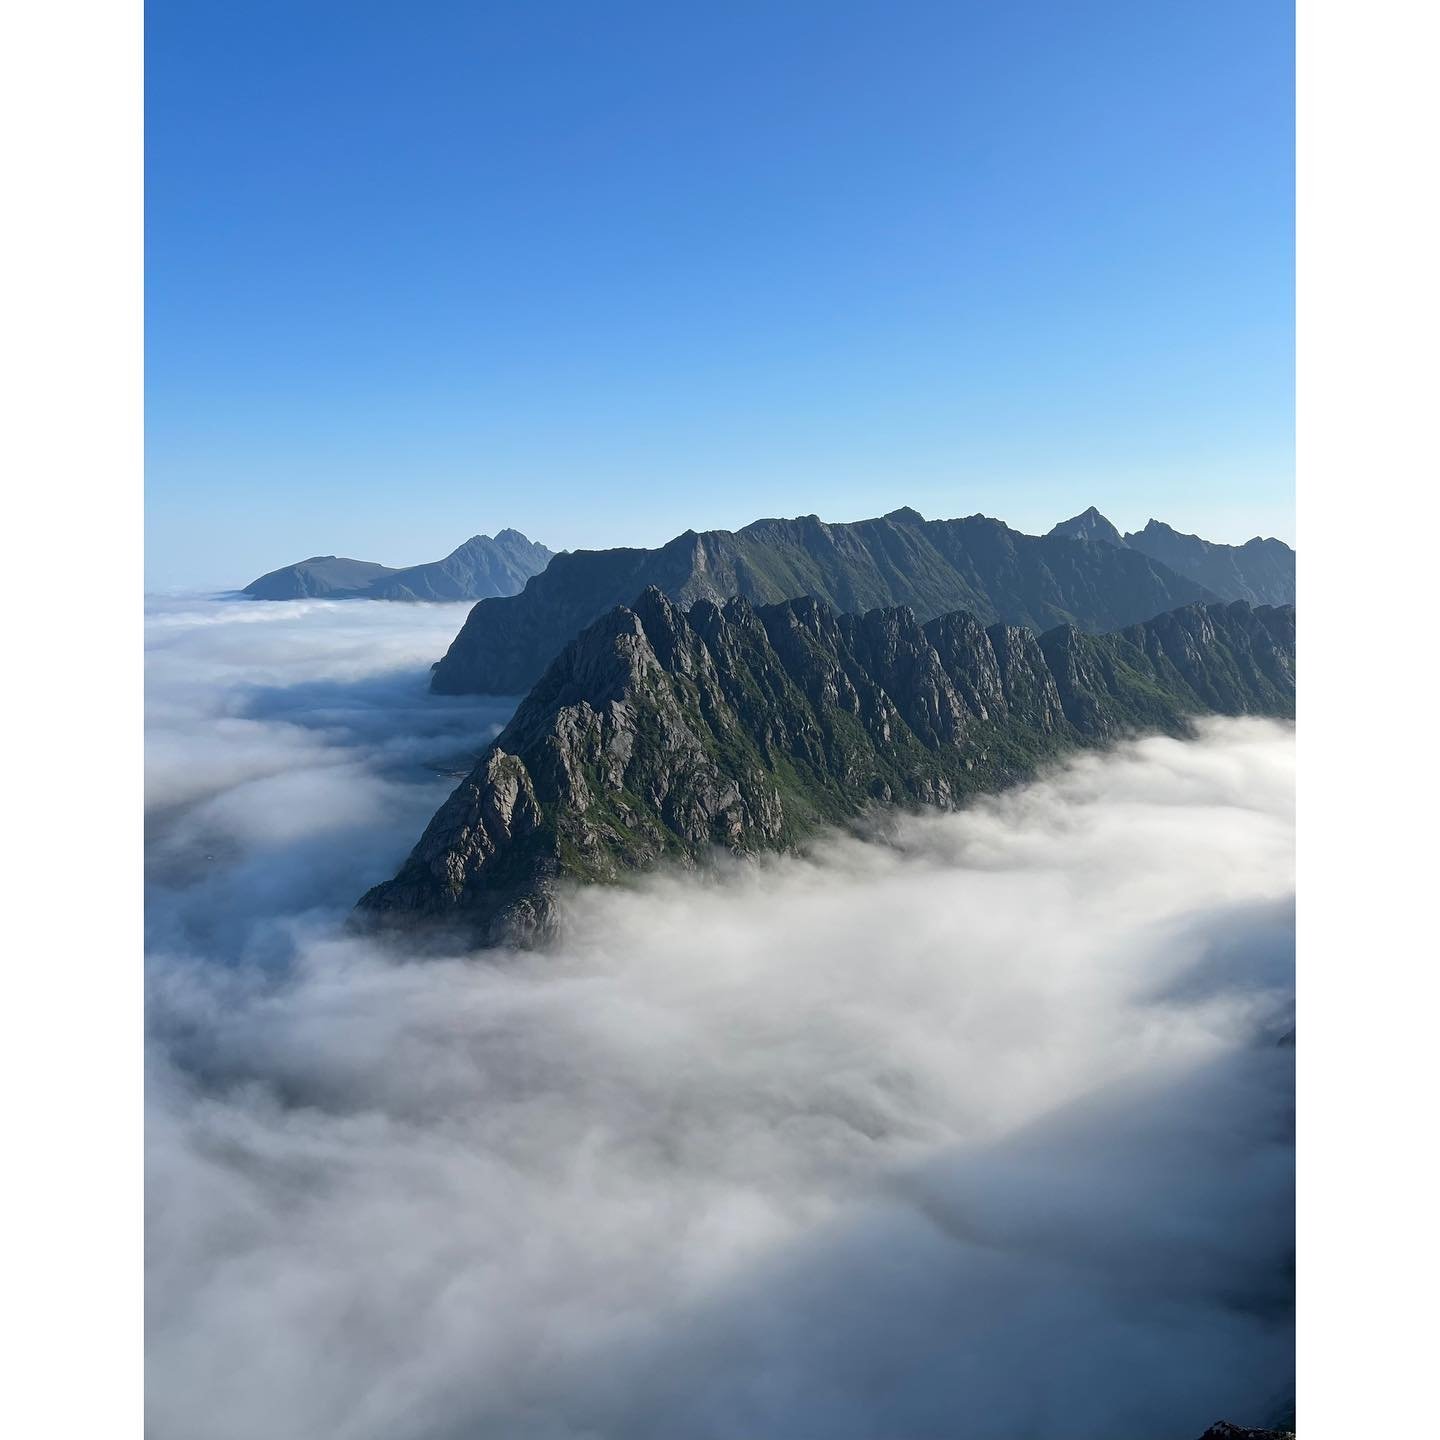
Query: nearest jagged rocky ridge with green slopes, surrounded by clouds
x=660, y=734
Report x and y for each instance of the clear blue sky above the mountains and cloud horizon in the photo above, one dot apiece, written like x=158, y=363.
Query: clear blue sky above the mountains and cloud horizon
x=607, y=271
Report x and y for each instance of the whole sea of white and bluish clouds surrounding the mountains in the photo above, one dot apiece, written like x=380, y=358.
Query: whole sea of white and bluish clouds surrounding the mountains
x=980, y=1128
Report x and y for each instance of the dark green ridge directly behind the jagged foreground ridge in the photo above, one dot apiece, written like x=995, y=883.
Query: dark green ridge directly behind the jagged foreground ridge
x=934, y=567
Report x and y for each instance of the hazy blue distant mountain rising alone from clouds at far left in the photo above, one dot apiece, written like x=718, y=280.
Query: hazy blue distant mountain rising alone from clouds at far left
x=482, y=568
